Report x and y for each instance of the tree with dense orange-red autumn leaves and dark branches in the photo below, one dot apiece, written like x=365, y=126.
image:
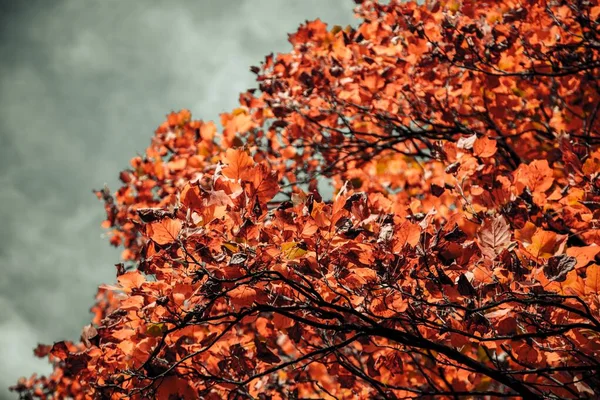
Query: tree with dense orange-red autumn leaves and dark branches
x=458, y=257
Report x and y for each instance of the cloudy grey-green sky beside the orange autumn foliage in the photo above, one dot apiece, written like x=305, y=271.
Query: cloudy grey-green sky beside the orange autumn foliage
x=83, y=85
